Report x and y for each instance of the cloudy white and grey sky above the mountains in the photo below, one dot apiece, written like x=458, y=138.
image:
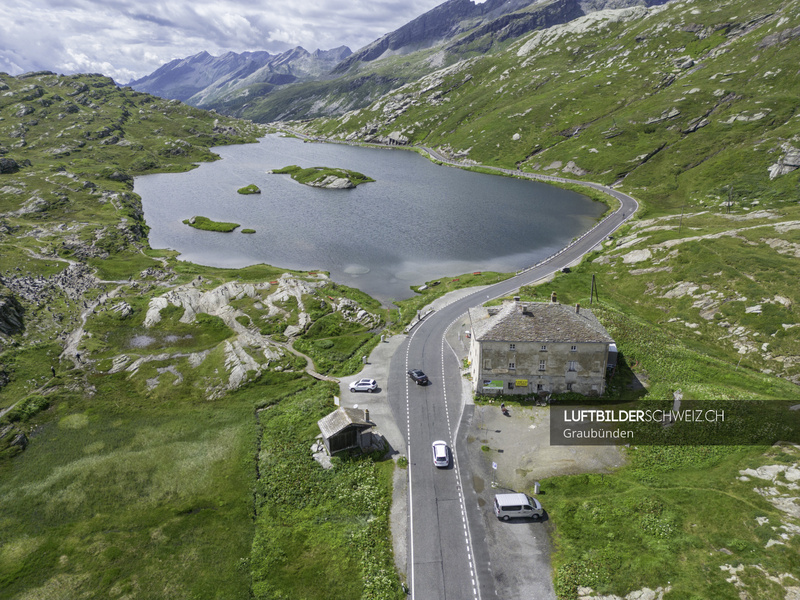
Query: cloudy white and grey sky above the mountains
x=127, y=39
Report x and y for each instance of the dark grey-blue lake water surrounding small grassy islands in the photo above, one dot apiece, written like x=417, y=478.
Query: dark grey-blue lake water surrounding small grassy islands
x=418, y=221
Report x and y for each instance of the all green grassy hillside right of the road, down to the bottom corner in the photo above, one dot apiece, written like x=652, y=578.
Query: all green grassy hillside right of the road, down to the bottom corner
x=690, y=107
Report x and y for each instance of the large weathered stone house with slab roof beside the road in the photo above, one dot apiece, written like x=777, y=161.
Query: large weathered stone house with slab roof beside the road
x=529, y=347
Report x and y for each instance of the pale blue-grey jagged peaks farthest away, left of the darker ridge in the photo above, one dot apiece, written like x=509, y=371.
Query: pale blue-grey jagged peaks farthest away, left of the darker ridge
x=202, y=78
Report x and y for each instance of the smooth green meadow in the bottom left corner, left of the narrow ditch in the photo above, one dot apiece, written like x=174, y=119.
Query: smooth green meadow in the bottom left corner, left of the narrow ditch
x=119, y=497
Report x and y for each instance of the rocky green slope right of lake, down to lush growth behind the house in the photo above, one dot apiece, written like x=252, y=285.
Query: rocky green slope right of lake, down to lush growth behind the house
x=690, y=107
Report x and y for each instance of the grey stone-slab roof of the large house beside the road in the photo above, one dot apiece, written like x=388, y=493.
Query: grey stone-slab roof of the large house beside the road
x=536, y=322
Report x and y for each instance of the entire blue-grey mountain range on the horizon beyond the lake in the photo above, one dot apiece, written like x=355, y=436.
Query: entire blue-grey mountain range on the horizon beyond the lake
x=243, y=84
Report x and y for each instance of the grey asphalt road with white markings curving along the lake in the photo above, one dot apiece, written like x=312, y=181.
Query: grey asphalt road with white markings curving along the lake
x=448, y=553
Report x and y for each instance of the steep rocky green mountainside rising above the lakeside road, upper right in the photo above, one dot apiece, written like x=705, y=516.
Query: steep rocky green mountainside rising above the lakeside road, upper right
x=651, y=96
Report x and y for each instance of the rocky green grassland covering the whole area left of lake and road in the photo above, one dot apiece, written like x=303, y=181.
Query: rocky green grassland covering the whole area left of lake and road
x=136, y=456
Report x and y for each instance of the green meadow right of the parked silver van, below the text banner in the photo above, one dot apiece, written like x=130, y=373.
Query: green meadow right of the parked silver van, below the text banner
x=676, y=517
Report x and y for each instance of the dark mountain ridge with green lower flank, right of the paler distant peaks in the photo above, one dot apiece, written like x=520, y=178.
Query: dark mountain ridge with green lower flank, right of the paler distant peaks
x=446, y=34
